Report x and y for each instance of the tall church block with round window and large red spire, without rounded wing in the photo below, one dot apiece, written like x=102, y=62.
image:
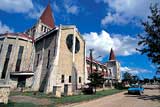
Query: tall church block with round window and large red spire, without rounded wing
x=59, y=56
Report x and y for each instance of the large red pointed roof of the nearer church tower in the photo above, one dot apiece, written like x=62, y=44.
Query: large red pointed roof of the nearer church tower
x=47, y=17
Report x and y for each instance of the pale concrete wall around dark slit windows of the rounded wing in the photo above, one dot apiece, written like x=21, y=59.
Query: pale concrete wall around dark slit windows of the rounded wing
x=16, y=41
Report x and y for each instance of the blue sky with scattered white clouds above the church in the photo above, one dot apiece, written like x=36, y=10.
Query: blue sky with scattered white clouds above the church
x=104, y=24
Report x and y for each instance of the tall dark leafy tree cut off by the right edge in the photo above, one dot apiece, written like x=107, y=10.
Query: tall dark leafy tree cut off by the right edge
x=150, y=41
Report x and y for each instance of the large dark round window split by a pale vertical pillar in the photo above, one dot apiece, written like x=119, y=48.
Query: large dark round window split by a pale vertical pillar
x=69, y=42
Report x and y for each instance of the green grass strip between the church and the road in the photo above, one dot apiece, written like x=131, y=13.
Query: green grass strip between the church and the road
x=59, y=101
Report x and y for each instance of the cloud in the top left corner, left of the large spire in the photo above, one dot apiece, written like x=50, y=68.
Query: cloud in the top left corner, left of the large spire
x=22, y=6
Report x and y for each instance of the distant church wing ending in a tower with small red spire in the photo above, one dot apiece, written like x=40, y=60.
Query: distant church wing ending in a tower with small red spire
x=110, y=69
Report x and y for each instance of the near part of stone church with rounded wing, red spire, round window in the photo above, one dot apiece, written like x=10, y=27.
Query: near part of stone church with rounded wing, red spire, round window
x=44, y=56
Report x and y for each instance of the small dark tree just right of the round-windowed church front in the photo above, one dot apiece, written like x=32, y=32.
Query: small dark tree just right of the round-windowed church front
x=96, y=79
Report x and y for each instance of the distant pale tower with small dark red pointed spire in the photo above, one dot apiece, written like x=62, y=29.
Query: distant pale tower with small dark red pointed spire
x=113, y=66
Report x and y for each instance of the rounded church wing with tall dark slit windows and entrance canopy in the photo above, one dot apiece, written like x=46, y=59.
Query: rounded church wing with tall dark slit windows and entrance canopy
x=16, y=58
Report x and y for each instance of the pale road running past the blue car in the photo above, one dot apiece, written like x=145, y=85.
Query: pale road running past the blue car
x=150, y=98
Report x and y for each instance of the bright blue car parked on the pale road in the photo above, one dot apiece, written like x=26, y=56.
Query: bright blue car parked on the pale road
x=136, y=89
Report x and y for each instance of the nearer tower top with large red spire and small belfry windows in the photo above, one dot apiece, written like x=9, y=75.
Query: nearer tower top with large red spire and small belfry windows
x=44, y=24
